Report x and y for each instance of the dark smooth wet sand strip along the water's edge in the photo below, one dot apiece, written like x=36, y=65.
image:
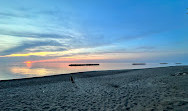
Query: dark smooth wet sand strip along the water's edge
x=65, y=77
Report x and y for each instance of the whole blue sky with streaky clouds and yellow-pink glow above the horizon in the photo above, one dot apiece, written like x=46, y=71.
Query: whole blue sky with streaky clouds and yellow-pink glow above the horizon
x=93, y=30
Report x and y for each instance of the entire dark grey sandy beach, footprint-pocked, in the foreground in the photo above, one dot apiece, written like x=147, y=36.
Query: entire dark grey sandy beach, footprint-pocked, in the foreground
x=152, y=89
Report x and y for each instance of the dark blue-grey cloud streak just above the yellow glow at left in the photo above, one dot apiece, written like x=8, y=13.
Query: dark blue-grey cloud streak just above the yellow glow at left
x=30, y=44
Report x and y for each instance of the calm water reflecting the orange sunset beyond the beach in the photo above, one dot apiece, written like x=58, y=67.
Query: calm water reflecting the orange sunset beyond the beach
x=25, y=70
